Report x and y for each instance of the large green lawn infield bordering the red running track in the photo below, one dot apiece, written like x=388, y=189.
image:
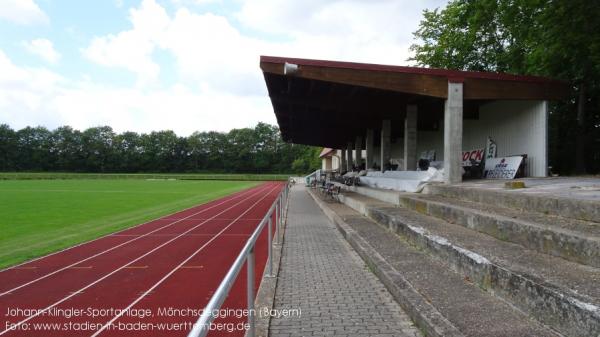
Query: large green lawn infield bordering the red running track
x=41, y=216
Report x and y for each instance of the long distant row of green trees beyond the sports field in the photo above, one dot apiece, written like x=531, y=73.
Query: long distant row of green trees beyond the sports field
x=101, y=149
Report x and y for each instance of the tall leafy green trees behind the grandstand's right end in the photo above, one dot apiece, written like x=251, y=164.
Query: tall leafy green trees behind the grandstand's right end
x=554, y=38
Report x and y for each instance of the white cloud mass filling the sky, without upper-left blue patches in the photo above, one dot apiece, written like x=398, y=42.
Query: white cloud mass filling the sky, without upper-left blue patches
x=217, y=84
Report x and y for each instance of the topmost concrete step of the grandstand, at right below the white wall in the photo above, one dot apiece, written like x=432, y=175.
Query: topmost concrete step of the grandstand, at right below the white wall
x=523, y=199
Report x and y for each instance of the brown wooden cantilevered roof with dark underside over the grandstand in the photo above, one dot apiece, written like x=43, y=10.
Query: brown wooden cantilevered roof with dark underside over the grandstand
x=327, y=103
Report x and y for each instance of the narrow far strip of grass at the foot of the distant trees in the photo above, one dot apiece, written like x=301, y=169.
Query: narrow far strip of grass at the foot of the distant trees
x=178, y=176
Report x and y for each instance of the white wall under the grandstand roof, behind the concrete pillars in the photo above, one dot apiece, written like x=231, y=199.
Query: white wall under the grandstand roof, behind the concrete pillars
x=518, y=127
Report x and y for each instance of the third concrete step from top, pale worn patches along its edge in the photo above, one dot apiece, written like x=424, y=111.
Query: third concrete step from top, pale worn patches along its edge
x=559, y=293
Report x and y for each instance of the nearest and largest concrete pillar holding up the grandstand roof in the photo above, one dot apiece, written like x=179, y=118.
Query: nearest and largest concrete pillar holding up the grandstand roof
x=453, y=120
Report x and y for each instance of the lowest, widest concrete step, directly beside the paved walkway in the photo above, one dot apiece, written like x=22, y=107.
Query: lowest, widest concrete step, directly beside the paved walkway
x=440, y=301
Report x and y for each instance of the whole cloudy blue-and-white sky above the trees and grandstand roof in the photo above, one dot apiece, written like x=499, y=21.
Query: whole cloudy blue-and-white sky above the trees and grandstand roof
x=182, y=65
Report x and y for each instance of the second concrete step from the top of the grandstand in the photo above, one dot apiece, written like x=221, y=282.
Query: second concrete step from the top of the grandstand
x=574, y=240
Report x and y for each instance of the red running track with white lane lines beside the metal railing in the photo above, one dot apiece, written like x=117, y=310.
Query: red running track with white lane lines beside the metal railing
x=202, y=247
